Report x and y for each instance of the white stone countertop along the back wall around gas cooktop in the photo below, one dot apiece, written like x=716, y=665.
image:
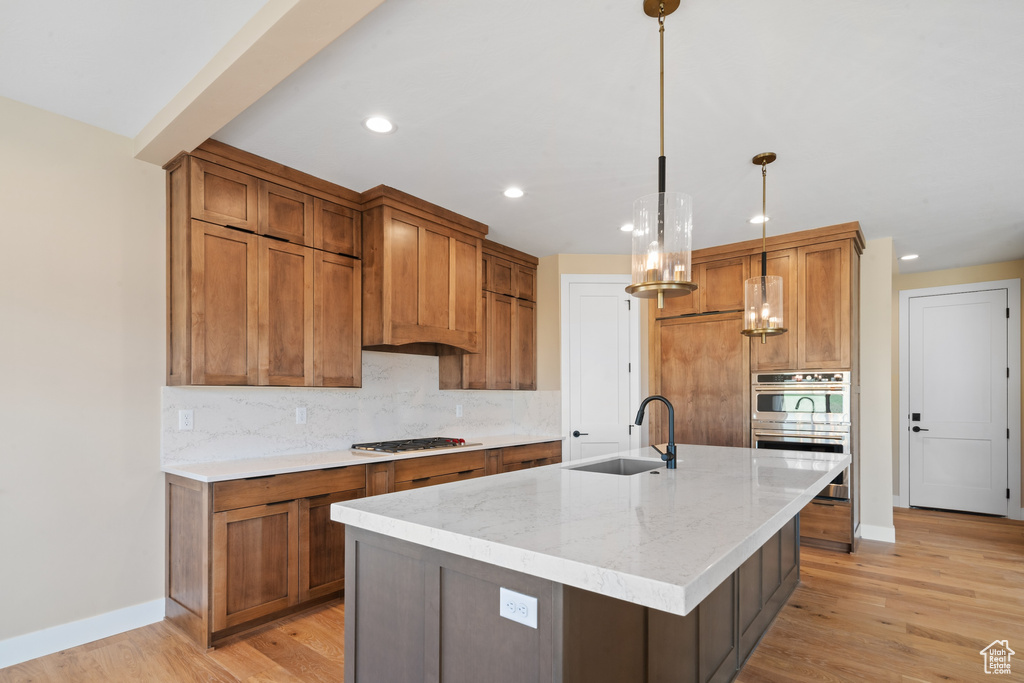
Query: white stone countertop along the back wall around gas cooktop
x=253, y=467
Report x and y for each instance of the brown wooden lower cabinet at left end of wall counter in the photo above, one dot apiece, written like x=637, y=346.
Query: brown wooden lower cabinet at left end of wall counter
x=246, y=551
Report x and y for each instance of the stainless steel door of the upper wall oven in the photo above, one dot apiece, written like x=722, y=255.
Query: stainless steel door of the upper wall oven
x=815, y=405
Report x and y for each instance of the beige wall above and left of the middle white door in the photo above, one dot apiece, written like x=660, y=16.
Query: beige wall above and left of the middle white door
x=549, y=334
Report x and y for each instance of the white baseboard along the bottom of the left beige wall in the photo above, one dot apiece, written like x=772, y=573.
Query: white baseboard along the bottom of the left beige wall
x=31, y=646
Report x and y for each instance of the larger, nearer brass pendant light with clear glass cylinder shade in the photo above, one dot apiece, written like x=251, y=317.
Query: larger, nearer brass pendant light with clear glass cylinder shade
x=663, y=223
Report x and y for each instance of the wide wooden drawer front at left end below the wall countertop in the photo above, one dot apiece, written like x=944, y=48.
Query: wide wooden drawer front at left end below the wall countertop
x=263, y=491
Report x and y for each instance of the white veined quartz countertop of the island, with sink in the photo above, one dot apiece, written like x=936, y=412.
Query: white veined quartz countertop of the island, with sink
x=664, y=539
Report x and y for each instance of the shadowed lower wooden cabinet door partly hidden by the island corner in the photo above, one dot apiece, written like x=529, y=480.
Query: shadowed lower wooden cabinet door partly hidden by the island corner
x=322, y=546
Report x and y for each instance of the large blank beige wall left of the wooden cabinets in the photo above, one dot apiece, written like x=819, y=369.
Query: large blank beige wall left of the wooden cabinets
x=82, y=312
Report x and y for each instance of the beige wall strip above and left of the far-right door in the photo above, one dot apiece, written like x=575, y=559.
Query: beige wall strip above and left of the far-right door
x=915, y=281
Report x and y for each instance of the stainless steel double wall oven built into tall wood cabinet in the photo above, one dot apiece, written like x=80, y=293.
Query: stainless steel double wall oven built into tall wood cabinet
x=804, y=412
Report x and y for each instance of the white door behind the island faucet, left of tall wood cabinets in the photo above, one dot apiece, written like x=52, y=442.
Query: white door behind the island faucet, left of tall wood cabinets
x=600, y=343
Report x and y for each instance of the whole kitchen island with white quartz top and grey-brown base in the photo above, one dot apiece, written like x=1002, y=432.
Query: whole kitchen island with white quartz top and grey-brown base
x=661, y=576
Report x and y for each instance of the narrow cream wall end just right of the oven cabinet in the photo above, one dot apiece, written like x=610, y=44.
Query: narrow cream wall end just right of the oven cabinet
x=877, y=268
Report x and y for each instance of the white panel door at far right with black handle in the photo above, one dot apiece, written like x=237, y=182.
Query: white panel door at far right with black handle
x=958, y=402
